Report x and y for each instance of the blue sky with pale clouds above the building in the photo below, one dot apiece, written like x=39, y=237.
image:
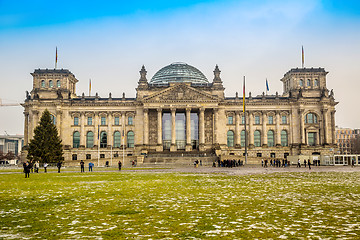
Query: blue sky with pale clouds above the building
x=109, y=41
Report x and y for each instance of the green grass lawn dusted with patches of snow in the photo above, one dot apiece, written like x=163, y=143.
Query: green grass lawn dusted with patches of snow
x=148, y=205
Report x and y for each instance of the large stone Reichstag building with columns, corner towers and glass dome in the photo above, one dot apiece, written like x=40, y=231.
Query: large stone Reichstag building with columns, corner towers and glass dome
x=179, y=112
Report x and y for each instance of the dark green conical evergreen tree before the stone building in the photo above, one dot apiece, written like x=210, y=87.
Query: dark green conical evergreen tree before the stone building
x=46, y=145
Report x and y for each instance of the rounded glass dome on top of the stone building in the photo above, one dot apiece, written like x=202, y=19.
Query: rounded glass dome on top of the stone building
x=178, y=72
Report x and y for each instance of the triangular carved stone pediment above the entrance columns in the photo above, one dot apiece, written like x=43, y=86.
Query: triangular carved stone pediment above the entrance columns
x=180, y=92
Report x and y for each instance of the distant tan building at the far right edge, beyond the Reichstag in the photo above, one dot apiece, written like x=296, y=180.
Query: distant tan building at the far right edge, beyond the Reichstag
x=344, y=139
